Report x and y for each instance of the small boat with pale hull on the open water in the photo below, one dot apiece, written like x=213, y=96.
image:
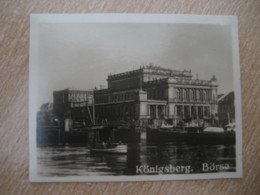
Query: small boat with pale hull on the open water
x=110, y=149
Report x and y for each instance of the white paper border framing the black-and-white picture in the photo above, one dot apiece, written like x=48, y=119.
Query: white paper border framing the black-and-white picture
x=36, y=19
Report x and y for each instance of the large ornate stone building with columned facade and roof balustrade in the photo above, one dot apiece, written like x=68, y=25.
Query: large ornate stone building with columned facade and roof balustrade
x=156, y=93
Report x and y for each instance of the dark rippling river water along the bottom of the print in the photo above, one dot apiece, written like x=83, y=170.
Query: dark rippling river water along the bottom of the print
x=76, y=160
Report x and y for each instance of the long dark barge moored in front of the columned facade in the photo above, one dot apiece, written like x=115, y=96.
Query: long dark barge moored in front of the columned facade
x=208, y=136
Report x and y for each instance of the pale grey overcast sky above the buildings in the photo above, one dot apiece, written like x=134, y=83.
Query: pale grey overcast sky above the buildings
x=81, y=55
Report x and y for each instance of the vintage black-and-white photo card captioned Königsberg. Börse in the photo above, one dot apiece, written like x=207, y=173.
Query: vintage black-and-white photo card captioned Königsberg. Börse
x=134, y=97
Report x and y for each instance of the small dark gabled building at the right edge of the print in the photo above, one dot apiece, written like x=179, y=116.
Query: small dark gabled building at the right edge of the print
x=226, y=108
